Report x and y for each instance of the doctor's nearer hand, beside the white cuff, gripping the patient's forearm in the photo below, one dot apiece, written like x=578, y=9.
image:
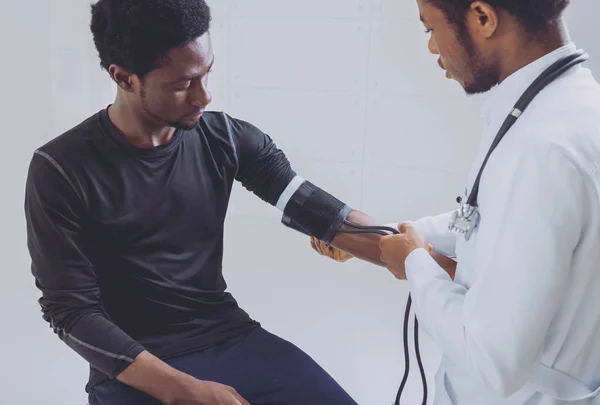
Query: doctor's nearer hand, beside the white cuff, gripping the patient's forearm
x=396, y=248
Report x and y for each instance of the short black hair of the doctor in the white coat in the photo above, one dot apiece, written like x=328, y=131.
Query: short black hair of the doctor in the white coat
x=535, y=15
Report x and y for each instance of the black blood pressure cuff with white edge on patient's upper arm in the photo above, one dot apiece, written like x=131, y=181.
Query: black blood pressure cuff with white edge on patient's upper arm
x=312, y=211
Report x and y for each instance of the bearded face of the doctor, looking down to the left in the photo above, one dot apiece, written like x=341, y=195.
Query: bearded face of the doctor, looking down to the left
x=460, y=55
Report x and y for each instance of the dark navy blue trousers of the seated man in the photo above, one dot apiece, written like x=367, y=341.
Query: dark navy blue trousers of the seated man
x=263, y=368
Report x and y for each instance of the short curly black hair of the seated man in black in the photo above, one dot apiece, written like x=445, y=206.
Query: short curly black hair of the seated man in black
x=138, y=34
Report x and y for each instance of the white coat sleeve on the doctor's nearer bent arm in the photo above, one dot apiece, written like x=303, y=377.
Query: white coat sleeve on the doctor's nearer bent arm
x=496, y=329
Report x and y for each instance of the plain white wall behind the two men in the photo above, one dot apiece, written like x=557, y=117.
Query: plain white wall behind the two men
x=345, y=87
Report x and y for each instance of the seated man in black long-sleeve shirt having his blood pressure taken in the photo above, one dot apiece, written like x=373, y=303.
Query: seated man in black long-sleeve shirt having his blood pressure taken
x=125, y=218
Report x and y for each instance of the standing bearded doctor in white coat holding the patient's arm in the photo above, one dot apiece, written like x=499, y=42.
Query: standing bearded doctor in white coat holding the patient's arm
x=519, y=323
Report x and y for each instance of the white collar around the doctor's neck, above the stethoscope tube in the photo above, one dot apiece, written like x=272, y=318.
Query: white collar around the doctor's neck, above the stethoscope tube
x=500, y=99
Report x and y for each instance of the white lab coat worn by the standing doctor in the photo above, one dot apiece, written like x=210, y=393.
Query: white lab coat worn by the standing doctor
x=520, y=325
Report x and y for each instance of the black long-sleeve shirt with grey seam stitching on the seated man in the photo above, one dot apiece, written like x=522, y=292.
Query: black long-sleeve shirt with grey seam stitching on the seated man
x=127, y=243
